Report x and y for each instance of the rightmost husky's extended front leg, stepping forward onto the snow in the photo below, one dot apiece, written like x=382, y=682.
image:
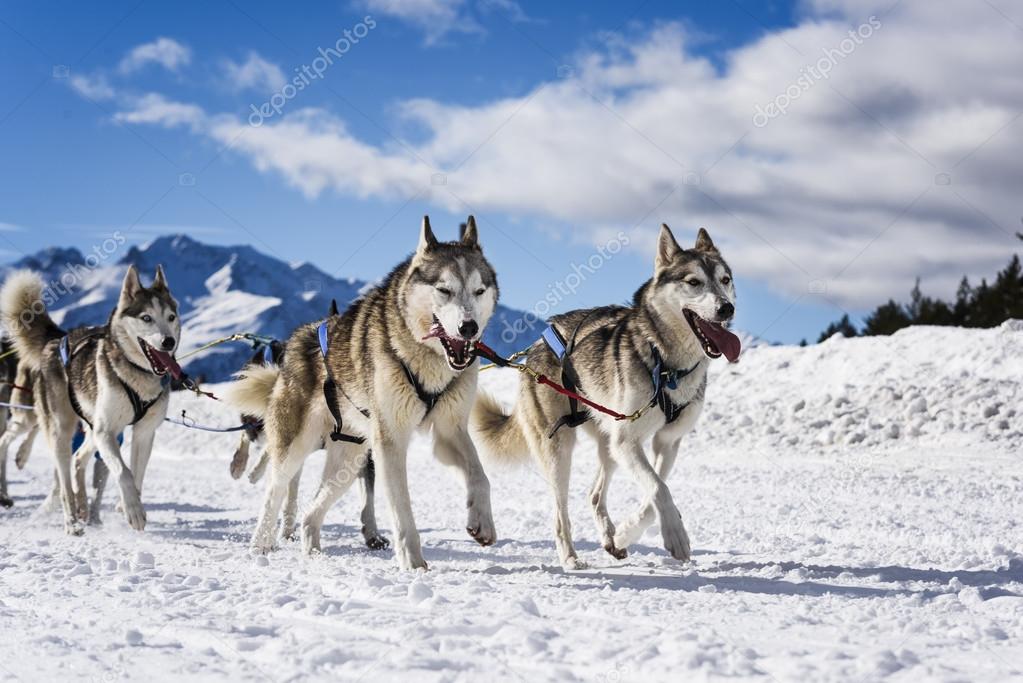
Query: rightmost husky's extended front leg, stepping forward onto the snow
x=630, y=454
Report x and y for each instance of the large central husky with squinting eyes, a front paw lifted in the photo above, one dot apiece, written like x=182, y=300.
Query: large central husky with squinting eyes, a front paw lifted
x=398, y=360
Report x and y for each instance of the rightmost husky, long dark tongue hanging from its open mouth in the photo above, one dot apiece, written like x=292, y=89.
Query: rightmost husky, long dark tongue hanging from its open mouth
x=654, y=353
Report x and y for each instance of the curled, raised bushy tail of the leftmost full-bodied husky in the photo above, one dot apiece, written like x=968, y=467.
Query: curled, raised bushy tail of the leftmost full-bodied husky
x=26, y=318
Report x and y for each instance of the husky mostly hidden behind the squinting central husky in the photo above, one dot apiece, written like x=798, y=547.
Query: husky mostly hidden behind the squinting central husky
x=274, y=354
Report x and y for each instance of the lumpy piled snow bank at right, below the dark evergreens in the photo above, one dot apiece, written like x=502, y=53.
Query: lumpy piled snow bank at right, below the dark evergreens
x=927, y=385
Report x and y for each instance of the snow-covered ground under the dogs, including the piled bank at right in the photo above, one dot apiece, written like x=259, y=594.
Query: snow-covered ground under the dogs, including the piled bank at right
x=856, y=511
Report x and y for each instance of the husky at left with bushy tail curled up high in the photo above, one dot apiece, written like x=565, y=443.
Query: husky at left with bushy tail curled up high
x=109, y=378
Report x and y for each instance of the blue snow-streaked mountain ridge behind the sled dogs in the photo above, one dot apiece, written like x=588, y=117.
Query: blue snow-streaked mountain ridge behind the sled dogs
x=221, y=291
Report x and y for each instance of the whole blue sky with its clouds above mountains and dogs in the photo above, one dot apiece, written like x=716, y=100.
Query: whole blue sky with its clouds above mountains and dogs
x=559, y=125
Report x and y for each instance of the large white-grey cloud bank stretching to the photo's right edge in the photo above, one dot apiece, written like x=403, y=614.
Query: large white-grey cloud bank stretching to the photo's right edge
x=844, y=192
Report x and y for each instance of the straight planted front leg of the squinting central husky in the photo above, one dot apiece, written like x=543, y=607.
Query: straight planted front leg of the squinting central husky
x=390, y=454
